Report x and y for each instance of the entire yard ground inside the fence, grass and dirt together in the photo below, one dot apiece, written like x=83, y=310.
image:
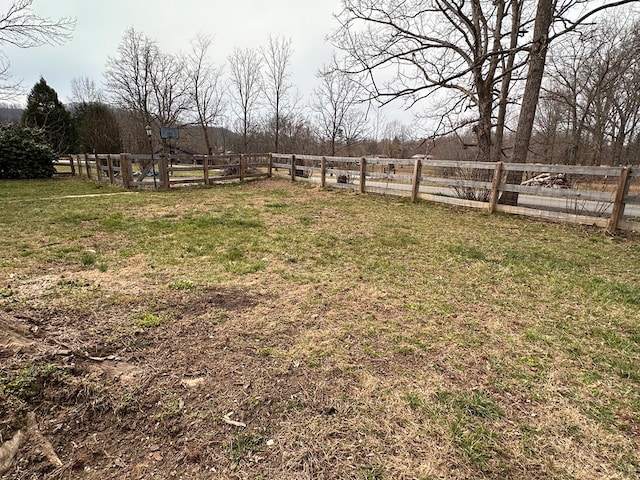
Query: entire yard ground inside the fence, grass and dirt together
x=270, y=330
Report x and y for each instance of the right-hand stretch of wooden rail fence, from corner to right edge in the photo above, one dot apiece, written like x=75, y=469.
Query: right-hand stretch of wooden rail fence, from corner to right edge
x=607, y=197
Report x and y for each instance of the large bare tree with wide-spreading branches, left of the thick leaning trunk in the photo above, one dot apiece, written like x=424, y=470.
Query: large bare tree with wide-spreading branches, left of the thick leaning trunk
x=413, y=51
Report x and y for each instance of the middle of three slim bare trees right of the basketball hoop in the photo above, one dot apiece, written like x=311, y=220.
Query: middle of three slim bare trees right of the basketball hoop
x=245, y=66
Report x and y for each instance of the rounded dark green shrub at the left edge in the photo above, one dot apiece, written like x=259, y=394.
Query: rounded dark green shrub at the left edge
x=25, y=153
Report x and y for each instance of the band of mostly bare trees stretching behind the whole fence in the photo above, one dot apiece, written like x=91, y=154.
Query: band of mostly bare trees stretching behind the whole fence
x=548, y=81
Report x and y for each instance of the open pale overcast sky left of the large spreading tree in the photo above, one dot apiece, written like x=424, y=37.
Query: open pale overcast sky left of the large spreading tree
x=233, y=23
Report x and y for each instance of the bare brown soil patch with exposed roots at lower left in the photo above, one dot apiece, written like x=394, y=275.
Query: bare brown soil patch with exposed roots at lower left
x=204, y=394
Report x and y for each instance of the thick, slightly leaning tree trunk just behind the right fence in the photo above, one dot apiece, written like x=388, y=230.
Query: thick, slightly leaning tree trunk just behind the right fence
x=537, y=60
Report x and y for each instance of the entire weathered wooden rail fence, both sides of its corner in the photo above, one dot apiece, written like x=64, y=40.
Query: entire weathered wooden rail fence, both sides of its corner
x=607, y=197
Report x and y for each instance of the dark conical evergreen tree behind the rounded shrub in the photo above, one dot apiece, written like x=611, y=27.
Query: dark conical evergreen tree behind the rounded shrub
x=46, y=112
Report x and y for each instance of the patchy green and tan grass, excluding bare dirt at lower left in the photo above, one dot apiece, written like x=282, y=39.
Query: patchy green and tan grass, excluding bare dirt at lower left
x=511, y=345
